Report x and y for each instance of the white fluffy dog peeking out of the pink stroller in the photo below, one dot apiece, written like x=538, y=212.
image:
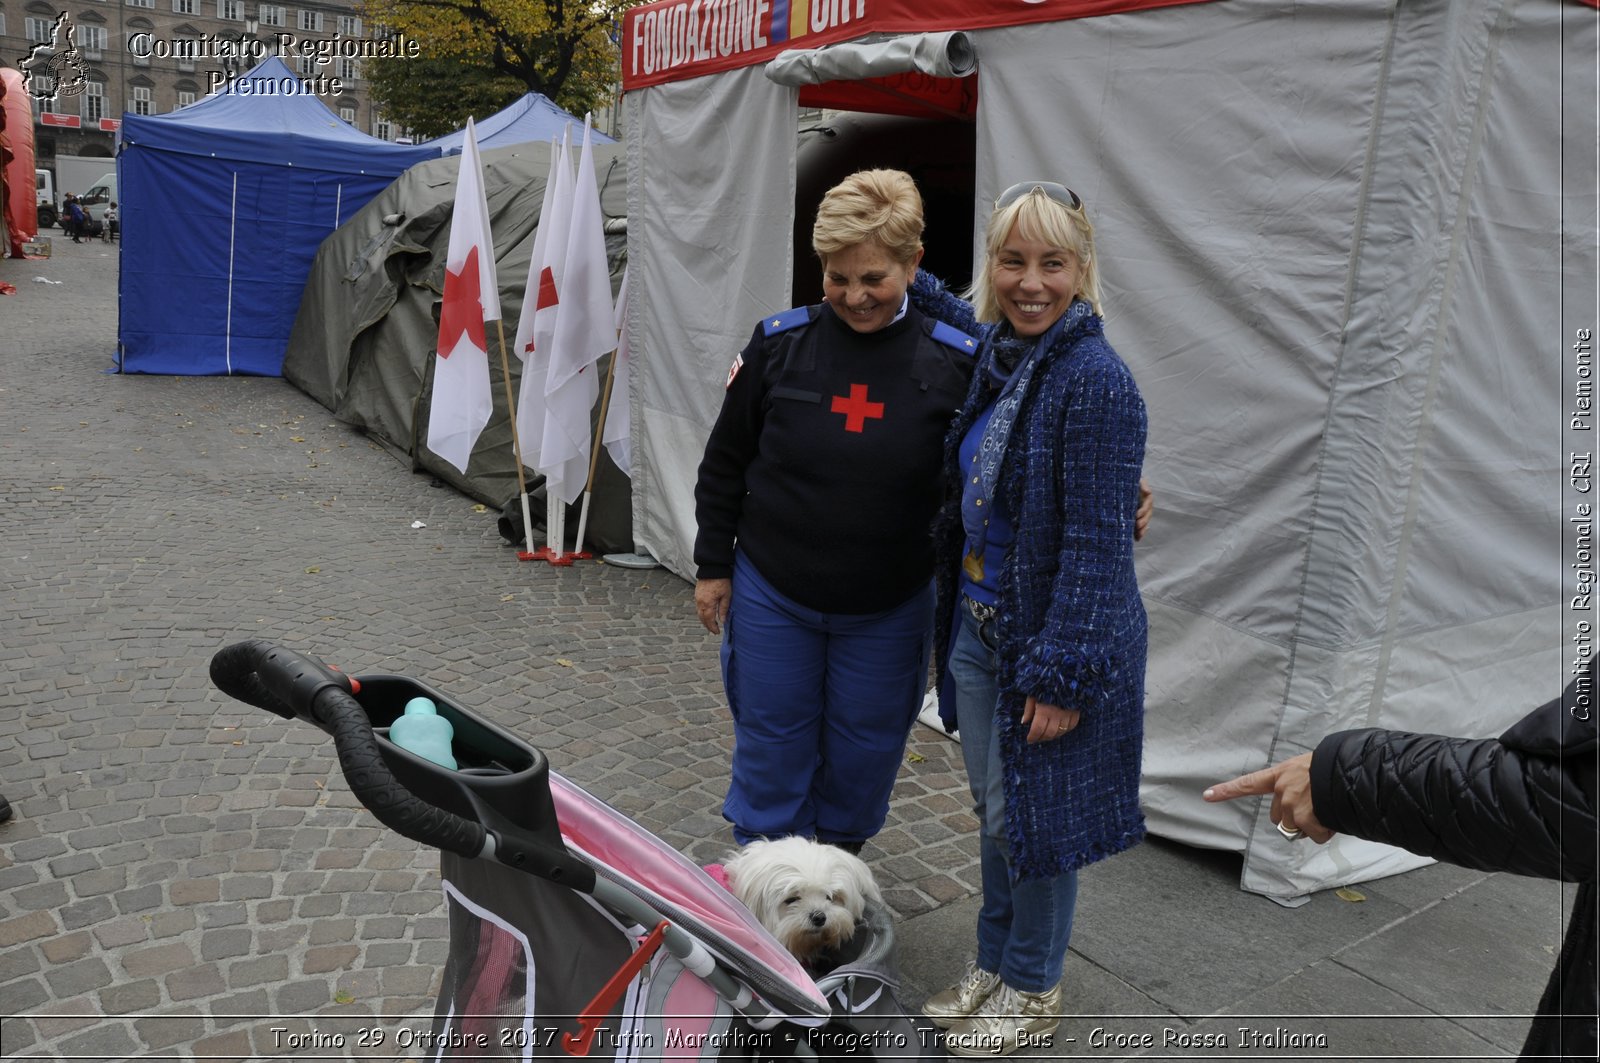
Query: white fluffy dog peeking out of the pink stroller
x=809, y=896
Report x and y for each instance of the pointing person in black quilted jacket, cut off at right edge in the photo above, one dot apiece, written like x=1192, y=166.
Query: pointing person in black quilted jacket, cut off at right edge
x=1522, y=803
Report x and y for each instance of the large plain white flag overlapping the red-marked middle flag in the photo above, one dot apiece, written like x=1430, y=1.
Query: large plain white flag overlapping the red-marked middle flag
x=585, y=331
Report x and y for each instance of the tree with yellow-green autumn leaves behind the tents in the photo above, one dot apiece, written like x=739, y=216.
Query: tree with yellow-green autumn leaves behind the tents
x=482, y=55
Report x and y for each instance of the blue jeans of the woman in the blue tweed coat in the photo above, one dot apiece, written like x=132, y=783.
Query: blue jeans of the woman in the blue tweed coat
x=1023, y=928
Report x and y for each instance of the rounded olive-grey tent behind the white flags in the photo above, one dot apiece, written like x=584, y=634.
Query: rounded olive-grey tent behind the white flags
x=369, y=321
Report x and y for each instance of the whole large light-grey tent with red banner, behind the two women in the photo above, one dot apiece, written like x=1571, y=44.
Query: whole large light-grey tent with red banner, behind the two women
x=1350, y=251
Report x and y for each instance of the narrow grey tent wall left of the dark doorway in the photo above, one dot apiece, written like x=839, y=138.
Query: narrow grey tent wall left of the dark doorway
x=711, y=191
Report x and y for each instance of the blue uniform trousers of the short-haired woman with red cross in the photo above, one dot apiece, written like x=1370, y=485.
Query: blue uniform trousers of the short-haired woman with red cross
x=822, y=710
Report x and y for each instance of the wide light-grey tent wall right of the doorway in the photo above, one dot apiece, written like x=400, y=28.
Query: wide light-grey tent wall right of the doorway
x=1340, y=294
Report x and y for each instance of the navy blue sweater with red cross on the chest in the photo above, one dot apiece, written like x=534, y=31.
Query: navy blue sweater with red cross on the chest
x=825, y=462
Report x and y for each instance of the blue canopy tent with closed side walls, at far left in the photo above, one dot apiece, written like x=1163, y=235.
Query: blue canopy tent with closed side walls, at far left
x=225, y=207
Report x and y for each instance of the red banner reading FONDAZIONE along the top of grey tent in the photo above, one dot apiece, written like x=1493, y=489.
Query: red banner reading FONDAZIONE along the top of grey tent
x=671, y=41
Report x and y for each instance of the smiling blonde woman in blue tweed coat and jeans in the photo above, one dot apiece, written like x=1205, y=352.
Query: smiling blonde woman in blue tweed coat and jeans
x=1042, y=630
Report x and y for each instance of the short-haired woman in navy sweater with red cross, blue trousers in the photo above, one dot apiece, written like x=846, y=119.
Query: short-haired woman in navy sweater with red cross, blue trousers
x=815, y=500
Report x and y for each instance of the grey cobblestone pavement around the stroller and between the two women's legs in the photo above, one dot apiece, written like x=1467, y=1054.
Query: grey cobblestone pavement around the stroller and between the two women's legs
x=183, y=867
